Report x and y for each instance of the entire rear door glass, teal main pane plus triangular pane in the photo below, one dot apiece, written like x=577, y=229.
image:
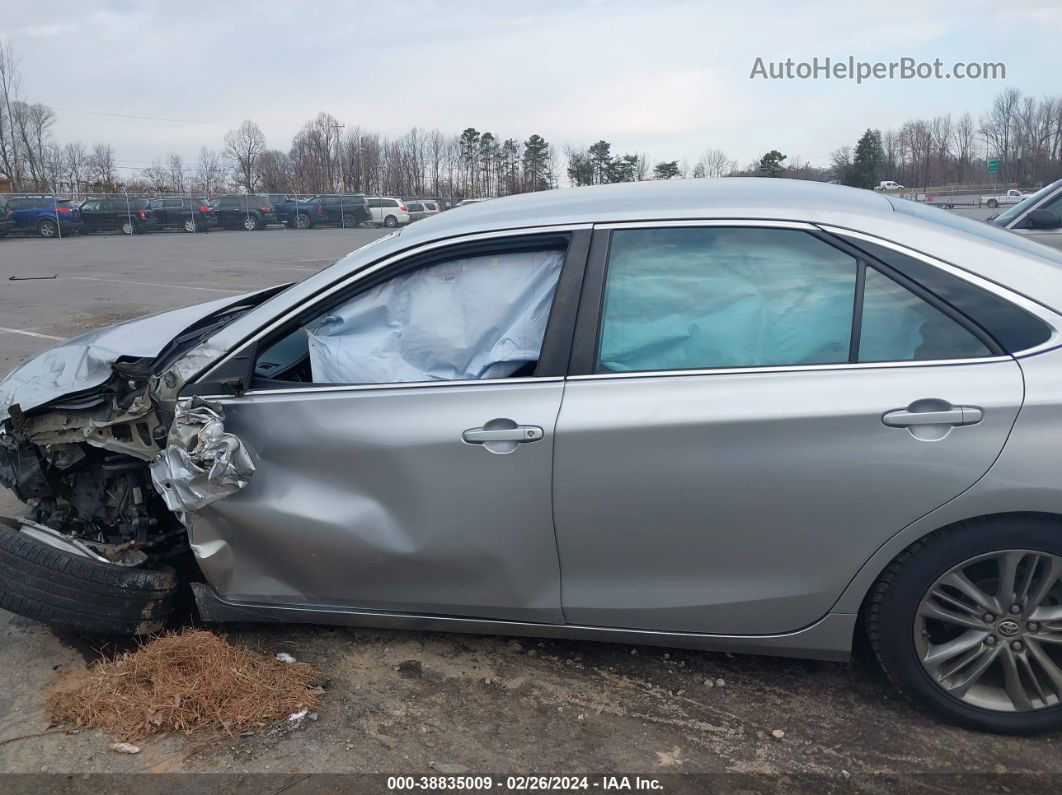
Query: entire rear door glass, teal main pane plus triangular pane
x=707, y=299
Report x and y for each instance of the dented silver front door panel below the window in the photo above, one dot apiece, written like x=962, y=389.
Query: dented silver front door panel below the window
x=370, y=498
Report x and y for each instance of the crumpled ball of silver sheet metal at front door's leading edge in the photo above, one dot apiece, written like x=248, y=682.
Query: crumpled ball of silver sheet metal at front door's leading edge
x=202, y=463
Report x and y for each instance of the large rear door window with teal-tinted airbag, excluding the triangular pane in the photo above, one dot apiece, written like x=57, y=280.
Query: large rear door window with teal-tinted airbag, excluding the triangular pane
x=694, y=299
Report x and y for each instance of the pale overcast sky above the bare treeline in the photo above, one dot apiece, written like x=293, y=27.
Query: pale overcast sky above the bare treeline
x=671, y=79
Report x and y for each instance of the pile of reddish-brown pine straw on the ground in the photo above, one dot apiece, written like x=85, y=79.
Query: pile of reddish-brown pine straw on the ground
x=181, y=682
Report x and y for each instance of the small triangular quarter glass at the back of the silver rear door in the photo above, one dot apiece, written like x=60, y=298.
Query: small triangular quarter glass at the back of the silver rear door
x=900, y=326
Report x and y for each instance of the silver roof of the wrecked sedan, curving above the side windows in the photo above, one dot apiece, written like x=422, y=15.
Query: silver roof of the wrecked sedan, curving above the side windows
x=1027, y=268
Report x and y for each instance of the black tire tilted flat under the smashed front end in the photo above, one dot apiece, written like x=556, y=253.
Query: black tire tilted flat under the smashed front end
x=59, y=589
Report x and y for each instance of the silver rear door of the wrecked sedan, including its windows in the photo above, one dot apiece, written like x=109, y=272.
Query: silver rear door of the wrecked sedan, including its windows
x=755, y=412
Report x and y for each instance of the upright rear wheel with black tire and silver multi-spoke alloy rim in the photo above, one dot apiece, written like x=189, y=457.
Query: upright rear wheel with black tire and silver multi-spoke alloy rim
x=968, y=624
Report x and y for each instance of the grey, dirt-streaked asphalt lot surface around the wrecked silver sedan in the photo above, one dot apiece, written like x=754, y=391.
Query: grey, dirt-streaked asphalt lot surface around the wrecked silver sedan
x=418, y=703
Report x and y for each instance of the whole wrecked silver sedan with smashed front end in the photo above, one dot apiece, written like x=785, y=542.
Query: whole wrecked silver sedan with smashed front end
x=748, y=416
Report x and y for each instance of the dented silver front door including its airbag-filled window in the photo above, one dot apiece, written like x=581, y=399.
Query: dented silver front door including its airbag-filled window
x=404, y=445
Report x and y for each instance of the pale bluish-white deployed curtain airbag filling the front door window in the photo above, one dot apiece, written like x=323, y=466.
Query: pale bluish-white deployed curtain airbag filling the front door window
x=467, y=319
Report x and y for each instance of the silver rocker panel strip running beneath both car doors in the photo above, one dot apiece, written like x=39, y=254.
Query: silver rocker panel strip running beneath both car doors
x=828, y=640
